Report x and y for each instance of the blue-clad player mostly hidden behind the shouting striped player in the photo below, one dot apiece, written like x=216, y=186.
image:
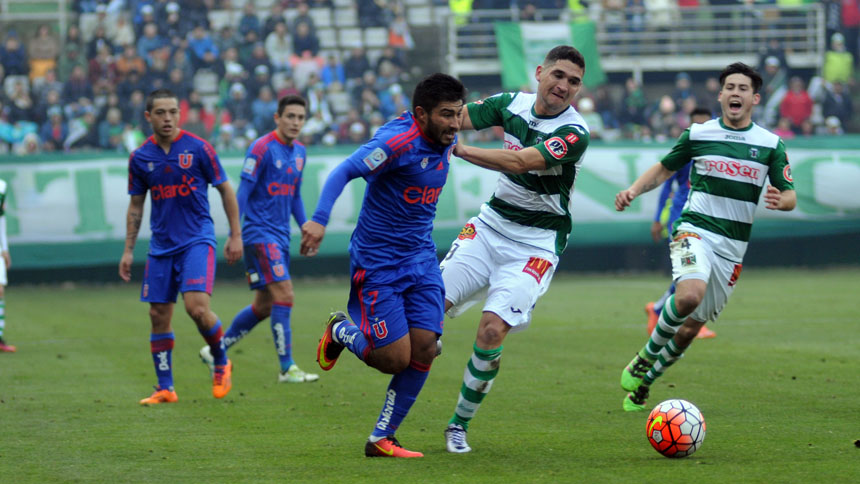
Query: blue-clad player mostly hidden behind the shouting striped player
x=678, y=186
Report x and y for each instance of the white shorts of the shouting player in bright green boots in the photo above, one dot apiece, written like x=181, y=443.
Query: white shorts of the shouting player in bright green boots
x=693, y=258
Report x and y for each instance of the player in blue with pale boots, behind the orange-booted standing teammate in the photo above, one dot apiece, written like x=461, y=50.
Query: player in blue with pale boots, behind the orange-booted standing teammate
x=269, y=193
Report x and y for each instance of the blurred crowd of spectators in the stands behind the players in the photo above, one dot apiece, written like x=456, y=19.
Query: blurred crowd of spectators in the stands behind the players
x=87, y=92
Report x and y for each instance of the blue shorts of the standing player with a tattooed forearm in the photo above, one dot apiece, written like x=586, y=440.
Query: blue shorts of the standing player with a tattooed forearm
x=192, y=269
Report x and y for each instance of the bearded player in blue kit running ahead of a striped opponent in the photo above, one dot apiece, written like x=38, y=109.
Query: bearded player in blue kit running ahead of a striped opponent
x=397, y=296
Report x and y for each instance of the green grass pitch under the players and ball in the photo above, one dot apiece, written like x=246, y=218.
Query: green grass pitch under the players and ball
x=779, y=388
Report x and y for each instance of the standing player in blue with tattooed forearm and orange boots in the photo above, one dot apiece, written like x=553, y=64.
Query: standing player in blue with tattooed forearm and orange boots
x=176, y=168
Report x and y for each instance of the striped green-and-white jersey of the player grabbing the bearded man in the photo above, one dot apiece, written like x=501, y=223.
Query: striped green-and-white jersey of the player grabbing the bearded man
x=533, y=208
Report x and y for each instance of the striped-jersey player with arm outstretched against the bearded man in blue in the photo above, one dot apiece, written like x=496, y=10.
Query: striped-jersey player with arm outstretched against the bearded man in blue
x=512, y=247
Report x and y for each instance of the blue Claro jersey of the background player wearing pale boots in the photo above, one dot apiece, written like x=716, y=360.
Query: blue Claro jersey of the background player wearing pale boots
x=271, y=181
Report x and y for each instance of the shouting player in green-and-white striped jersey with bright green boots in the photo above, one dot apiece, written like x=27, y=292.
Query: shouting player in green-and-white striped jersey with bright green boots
x=732, y=158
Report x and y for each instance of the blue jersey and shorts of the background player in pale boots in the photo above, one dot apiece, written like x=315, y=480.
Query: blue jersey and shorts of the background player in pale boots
x=269, y=193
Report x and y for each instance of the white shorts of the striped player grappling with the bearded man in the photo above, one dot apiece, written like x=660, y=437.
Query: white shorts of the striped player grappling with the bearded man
x=511, y=275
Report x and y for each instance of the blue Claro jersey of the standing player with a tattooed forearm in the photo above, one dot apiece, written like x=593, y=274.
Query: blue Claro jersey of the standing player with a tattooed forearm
x=178, y=183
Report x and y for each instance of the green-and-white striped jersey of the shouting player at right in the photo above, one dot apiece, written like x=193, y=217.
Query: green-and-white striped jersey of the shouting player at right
x=729, y=171
